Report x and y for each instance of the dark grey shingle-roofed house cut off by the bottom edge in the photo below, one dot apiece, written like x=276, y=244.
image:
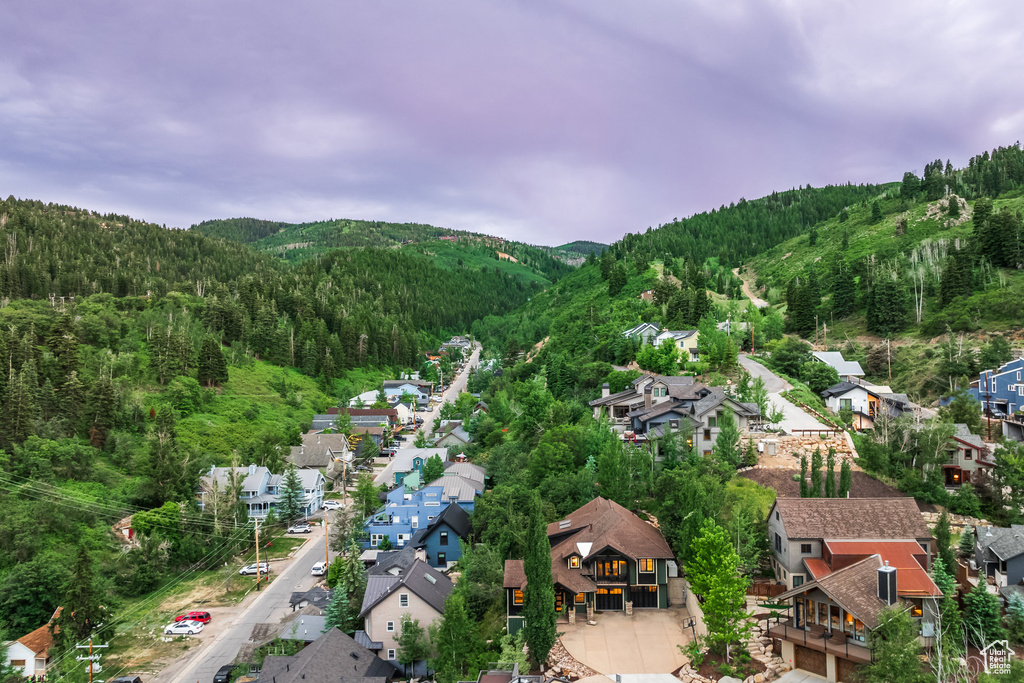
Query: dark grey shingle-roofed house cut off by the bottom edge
x=334, y=658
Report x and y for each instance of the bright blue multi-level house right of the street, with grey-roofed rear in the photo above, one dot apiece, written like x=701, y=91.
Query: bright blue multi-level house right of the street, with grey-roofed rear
x=407, y=509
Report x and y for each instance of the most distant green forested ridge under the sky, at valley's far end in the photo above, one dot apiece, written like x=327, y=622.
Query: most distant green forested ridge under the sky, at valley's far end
x=453, y=249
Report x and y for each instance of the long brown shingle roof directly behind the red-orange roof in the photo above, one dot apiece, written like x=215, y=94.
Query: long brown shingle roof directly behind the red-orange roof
x=852, y=519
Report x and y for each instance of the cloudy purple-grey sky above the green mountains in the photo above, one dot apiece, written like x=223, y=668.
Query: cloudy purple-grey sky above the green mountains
x=545, y=122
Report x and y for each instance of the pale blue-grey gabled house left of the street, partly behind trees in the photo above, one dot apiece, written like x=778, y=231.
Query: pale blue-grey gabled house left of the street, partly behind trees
x=261, y=489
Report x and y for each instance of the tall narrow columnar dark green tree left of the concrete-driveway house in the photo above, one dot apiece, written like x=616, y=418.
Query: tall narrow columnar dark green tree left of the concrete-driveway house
x=539, y=596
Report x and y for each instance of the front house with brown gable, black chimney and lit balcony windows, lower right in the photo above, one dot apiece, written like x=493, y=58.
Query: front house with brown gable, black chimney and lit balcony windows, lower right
x=834, y=614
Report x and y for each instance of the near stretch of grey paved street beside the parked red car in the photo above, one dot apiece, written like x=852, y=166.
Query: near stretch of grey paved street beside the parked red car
x=270, y=606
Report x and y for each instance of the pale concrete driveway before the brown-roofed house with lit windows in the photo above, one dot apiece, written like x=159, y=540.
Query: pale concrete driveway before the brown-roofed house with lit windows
x=645, y=644
